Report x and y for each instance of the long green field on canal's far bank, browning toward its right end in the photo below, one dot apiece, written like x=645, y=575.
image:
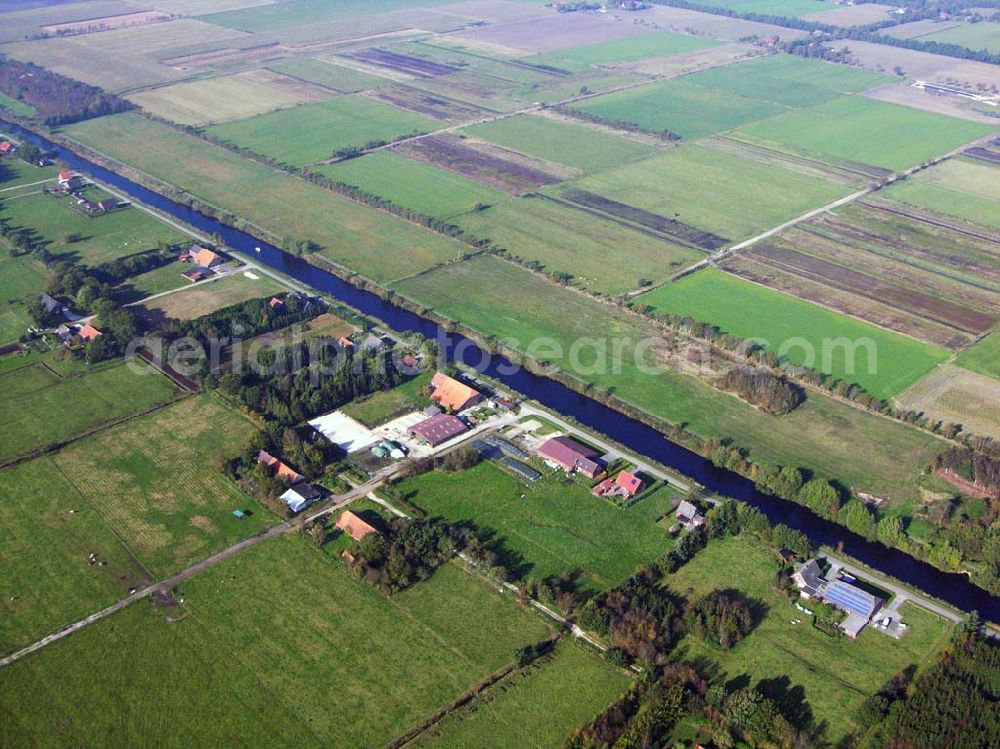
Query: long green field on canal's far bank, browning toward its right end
x=830, y=438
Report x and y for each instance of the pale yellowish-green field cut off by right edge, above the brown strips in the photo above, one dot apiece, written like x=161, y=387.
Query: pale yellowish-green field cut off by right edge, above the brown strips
x=966, y=189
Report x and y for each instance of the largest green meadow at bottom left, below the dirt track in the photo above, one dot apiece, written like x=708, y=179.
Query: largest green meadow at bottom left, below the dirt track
x=217, y=669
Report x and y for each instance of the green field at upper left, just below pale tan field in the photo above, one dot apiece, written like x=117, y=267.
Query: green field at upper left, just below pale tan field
x=322, y=128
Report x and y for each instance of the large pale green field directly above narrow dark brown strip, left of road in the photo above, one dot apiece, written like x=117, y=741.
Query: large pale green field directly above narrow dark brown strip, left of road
x=708, y=189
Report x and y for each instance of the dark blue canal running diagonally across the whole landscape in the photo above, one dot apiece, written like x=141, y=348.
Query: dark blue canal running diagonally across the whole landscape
x=956, y=589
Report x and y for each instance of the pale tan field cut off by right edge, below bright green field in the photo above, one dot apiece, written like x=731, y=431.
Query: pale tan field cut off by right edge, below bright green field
x=957, y=395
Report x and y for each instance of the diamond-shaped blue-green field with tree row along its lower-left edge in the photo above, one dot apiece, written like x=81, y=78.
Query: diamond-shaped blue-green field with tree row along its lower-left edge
x=690, y=111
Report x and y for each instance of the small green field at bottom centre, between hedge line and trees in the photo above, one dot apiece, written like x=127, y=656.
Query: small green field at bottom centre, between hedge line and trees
x=547, y=702
